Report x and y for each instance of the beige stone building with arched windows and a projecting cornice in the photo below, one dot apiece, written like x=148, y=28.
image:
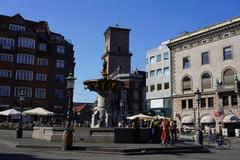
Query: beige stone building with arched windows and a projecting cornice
x=208, y=59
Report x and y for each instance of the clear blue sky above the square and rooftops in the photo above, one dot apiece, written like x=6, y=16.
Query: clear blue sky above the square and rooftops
x=151, y=21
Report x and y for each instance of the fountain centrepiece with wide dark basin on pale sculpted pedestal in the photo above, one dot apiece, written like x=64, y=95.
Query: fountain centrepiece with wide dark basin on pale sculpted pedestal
x=104, y=86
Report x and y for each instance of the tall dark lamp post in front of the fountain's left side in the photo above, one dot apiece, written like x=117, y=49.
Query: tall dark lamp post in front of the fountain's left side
x=67, y=134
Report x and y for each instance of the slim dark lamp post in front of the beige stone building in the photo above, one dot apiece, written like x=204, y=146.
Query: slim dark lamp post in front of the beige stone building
x=199, y=135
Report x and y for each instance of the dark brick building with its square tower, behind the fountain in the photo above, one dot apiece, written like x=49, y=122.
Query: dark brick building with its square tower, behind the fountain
x=131, y=99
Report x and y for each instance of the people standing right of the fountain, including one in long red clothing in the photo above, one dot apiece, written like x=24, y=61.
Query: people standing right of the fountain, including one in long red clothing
x=162, y=131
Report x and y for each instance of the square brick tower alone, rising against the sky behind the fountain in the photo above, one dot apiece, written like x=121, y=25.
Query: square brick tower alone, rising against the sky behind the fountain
x=116, y=52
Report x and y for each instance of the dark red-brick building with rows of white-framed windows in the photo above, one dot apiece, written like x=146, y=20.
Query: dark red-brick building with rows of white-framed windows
x=34, y=60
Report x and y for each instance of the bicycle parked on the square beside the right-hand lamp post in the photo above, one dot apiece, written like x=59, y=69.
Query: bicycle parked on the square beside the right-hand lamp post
x=220, y=141
